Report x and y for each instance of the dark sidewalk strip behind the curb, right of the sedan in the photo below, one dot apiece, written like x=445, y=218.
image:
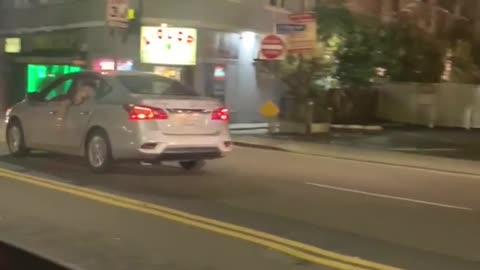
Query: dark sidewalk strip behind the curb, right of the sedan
x=441, y=142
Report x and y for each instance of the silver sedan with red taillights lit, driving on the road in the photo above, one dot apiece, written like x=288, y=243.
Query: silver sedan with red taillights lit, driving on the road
x=120, y=116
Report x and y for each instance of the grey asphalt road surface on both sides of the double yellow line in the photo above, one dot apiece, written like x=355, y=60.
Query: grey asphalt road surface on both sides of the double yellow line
x=408, y=218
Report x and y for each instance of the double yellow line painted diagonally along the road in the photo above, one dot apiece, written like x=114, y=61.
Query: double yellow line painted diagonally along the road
x=293, y=248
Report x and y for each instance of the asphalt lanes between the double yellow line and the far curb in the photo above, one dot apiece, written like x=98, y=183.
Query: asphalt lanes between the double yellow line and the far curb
x=405, y=217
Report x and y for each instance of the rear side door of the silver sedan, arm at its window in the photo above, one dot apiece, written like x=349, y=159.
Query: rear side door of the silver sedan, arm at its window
x=78, y=118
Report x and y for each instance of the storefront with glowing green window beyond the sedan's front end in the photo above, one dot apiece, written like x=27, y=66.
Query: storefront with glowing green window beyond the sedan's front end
x=35, y=59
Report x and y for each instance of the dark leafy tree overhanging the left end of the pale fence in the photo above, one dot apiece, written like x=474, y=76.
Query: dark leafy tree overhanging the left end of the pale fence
x=399, y=50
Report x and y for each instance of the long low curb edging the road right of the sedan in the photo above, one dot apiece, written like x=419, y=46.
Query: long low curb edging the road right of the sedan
x=386, y=163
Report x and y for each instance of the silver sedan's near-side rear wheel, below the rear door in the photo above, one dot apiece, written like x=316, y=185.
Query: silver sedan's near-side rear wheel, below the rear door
x=98, y=152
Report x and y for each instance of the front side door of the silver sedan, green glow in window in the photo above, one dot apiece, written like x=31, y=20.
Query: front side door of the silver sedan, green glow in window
x=43, y=120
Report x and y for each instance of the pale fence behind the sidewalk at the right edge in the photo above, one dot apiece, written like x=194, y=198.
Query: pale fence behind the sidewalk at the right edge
x=442, y=105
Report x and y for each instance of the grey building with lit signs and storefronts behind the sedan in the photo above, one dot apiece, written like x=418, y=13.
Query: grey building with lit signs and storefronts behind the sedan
x=44, y=38
